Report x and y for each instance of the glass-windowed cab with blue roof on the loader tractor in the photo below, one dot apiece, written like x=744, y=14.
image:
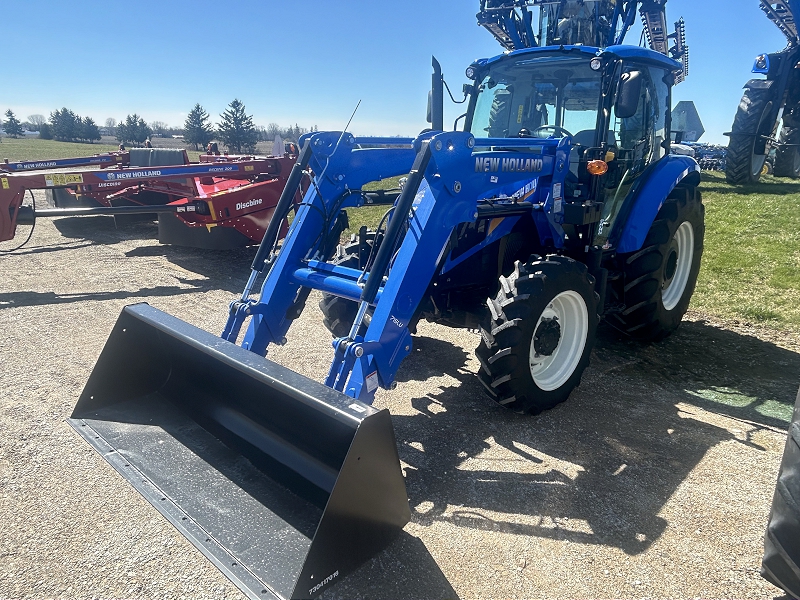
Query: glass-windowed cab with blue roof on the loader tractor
x=611, y=106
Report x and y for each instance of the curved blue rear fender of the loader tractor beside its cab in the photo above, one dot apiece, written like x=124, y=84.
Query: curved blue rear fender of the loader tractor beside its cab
x=647, y=196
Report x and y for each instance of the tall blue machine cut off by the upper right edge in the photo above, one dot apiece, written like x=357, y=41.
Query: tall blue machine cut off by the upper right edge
x=765, y=137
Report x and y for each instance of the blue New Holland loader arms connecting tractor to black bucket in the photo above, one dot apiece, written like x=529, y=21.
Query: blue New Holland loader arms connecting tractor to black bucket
x=459, y=170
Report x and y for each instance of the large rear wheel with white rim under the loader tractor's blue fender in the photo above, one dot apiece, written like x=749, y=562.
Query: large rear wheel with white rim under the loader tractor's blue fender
x=659, y=279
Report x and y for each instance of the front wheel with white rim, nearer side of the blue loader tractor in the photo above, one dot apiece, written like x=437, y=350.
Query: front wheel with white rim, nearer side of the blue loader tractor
x=544, y=320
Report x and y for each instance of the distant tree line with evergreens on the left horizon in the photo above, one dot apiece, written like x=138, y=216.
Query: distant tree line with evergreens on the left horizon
x=235, y=129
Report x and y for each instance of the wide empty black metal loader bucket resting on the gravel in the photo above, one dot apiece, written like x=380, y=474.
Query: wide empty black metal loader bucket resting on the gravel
x=285, y=484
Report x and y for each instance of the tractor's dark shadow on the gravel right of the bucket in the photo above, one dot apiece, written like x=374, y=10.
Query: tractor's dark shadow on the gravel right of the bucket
x=599, y=468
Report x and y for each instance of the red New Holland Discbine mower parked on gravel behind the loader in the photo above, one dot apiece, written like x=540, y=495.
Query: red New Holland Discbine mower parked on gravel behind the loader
x=220, y=203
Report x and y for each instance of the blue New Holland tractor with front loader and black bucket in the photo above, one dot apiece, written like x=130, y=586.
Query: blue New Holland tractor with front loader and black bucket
x=557, y=203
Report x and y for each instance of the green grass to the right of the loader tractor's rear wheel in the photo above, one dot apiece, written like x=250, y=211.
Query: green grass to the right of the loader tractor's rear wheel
x=751, y=262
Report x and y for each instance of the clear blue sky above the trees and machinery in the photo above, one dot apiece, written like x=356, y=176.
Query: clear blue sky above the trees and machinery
x=307, y=62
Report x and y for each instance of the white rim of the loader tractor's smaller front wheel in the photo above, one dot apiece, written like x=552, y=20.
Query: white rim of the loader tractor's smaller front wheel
x=551, y=372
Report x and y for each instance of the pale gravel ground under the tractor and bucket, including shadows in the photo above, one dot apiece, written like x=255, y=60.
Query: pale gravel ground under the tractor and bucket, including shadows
x=653, y=481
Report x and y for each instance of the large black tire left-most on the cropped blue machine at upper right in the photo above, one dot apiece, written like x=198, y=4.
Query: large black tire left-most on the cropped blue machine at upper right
x=750, y=124
